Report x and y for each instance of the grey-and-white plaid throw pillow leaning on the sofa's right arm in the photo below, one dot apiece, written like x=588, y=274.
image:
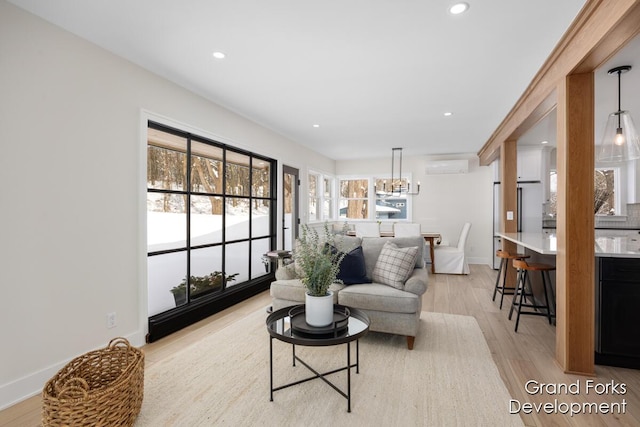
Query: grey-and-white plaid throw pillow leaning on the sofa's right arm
x=395, y=265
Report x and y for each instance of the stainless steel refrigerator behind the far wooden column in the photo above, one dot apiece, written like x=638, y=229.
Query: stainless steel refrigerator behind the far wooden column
x=530, y=207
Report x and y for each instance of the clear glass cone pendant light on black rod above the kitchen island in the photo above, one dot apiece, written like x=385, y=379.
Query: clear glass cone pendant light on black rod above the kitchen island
x=620, y=141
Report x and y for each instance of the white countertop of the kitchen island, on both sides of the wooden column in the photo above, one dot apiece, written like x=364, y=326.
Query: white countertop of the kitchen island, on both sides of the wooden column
x=608, y=243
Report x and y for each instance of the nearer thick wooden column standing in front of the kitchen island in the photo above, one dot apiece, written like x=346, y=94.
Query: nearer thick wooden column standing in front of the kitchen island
x=575, y=281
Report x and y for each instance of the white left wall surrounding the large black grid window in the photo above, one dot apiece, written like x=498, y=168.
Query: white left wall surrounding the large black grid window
x=72, y=217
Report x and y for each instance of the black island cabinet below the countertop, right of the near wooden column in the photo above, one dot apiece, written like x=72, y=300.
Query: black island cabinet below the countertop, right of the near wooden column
x=618, y=312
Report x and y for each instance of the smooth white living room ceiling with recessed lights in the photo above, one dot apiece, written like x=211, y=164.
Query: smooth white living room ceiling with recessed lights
x=374, y=74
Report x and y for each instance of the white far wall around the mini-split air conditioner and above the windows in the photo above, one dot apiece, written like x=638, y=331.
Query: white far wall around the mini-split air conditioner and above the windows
x=446, y=201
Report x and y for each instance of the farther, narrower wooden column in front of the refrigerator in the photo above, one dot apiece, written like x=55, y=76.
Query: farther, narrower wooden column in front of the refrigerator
x=508, y=198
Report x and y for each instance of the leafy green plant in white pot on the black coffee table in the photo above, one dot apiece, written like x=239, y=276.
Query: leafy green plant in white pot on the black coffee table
x=318, y=263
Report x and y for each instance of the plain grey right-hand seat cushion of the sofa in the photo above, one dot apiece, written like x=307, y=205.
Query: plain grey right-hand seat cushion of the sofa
x=375, y=296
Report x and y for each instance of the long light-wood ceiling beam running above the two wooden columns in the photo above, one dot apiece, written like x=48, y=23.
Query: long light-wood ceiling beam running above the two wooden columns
x=600, y=29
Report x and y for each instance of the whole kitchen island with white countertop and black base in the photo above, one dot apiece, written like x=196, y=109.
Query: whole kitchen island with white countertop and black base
x=617, y=287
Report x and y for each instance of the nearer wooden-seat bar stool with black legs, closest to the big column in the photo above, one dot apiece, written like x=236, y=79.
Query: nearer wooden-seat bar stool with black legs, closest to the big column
x=522, y=293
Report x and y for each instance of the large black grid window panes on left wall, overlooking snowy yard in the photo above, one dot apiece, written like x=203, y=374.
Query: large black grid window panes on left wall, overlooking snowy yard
x=210, y=218
